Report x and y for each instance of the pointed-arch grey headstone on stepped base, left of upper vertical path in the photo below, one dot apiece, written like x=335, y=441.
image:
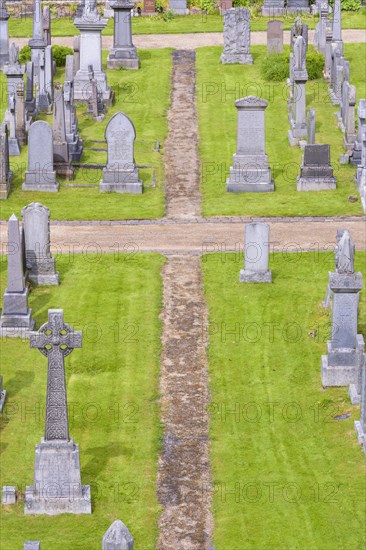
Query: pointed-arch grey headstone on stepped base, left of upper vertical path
x=121, y=173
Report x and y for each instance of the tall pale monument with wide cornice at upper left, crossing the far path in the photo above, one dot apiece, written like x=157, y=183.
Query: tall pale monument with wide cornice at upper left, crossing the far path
x=90, y=25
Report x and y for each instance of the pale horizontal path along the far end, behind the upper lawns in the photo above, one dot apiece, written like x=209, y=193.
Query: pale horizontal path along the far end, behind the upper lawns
x=191, y=41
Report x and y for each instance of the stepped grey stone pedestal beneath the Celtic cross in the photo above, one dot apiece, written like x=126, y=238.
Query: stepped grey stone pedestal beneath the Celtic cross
x=57, y=487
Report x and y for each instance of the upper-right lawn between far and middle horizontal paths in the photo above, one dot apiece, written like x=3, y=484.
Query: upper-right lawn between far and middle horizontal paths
x=218, y=86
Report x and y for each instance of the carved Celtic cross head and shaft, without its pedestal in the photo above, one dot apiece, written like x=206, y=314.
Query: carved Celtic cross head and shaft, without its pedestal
x=55, y=339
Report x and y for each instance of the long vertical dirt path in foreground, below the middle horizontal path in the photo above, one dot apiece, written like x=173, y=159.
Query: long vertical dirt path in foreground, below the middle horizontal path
x=184, y=475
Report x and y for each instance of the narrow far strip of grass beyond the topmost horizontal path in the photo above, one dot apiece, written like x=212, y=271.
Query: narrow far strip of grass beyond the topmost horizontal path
x=180, y=24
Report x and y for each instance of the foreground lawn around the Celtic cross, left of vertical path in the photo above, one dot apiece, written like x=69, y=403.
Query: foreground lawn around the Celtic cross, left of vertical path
x=112, y=385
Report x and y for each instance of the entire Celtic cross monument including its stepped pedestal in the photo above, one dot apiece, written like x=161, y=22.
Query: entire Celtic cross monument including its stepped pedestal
x=57, y=487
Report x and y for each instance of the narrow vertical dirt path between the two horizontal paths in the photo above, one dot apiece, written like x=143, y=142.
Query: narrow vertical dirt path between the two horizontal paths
x=182, y=176
